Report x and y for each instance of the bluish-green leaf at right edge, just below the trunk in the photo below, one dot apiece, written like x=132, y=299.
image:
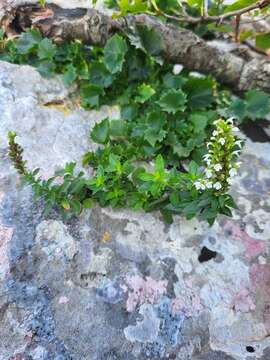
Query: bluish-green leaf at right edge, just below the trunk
x=258, y=104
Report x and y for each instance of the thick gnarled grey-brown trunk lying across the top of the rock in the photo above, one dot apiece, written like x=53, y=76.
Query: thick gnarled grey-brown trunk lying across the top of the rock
x=179, y=45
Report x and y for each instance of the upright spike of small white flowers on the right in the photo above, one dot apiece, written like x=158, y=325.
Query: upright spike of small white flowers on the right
x=224, y=149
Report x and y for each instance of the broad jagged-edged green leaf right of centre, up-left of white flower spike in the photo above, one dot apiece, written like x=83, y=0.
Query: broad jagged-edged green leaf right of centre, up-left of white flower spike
x=173, y=101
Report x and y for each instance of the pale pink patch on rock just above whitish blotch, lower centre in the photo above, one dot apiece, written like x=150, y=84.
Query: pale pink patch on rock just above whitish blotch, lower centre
x=142, y=291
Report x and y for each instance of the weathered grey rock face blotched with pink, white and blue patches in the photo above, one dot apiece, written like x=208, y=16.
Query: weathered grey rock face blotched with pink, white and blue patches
x=152, y=291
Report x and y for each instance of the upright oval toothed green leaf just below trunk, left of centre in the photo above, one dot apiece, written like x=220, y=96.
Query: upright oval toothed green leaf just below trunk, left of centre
x=114, y=54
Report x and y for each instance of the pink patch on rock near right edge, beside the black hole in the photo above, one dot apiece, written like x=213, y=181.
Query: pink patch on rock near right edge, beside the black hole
x=253, y=246
